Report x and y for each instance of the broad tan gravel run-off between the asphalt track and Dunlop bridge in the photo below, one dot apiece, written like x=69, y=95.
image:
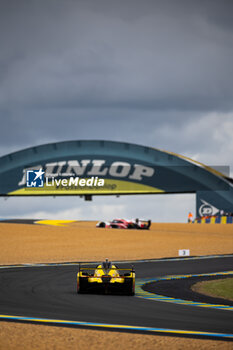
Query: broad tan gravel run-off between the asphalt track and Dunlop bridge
x=82, y=241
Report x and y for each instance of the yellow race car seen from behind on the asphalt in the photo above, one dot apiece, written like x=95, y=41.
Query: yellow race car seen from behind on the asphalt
x=106, y=278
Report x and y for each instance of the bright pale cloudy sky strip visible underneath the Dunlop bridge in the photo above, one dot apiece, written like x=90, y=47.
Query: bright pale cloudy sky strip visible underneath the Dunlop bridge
x=158, y=208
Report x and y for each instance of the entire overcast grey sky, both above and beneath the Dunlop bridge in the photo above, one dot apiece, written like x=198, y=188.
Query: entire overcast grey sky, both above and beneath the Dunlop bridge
x=156, y=73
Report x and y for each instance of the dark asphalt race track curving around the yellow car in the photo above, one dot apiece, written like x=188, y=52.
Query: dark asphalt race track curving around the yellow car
x=50, y=292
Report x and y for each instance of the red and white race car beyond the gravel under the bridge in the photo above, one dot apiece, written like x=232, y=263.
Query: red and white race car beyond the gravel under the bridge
x=138, y=224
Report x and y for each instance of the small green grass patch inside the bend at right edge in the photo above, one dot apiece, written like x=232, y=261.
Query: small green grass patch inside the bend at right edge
x=219, y=288
